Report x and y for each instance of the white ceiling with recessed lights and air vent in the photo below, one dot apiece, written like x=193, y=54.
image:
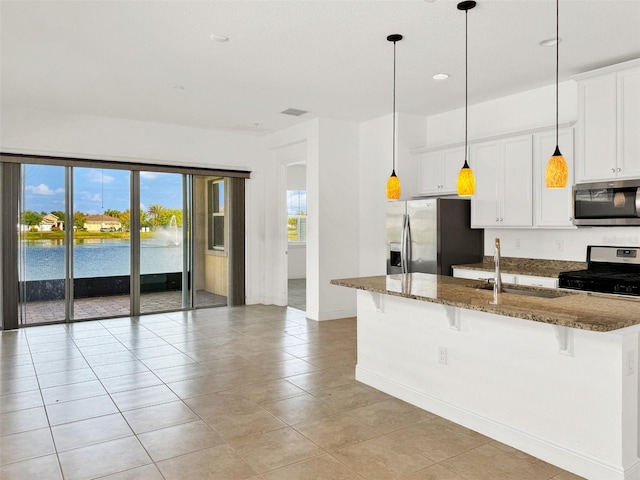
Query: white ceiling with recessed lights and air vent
x=155, y=61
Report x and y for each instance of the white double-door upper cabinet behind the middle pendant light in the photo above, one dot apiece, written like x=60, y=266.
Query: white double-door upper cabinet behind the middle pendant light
x=504, y=182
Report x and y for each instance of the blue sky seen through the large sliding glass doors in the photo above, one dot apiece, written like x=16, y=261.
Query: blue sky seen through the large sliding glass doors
x=97, y=190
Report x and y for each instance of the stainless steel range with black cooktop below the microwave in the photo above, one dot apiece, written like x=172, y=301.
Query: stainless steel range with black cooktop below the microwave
x=609, y=270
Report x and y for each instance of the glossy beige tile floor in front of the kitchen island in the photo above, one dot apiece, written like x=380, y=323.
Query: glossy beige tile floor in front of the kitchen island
x=254, y=392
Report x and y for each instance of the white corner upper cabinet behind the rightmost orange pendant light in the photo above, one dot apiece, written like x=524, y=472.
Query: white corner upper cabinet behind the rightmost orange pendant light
x=552, y=206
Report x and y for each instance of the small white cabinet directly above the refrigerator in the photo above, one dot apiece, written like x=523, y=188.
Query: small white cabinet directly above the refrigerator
x=438, y=171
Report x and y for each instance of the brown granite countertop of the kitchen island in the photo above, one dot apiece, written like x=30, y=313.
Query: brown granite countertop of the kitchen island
x=586, y=311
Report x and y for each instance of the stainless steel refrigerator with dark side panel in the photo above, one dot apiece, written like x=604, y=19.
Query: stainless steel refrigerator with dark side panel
x=430, y=235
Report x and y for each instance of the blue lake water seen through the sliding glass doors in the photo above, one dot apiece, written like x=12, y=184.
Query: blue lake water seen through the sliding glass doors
x=44, y=259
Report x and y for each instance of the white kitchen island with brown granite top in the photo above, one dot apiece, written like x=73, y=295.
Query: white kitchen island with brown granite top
x=552, y=373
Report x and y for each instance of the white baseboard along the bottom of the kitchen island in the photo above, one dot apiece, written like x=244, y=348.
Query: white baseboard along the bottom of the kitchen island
x=571, y=460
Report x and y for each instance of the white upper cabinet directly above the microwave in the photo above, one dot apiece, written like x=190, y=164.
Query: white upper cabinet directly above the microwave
x=608, y=143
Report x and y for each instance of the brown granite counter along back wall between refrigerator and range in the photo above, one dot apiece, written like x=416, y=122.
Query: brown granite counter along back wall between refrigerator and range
x=526, y=266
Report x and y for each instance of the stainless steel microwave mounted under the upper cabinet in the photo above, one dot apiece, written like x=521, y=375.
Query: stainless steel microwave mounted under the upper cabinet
x=614, y=203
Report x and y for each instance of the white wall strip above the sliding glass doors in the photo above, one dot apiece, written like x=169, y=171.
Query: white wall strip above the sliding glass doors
x=86, y=136
